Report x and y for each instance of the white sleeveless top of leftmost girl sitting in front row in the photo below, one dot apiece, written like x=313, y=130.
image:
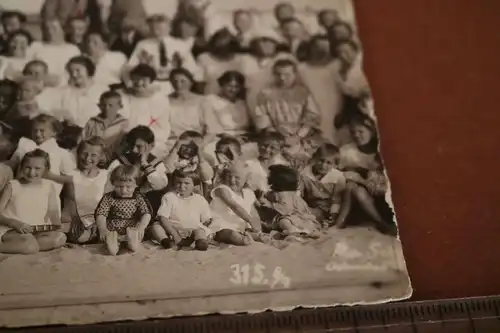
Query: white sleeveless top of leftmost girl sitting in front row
x=33, y=204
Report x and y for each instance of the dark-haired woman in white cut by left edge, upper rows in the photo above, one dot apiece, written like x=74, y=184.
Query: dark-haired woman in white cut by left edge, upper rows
x=16, y=56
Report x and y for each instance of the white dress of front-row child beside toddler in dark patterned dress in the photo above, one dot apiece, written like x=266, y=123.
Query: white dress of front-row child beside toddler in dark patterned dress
x=186, y=214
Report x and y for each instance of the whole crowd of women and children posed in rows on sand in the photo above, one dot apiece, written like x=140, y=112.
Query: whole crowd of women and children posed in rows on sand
x=120, y=128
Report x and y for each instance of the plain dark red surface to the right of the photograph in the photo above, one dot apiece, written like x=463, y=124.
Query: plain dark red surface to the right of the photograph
x=434, y=67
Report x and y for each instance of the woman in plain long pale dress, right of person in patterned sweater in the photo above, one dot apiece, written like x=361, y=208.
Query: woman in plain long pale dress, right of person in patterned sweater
x=319, y=74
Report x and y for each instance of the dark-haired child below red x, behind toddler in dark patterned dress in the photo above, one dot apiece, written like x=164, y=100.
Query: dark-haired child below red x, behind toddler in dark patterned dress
x=138, y=144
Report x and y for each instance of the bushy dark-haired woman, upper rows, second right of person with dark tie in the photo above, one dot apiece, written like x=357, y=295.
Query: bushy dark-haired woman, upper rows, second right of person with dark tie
x=221, y=55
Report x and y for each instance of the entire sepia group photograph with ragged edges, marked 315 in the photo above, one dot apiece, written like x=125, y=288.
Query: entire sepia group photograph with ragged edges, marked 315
x=189, y=157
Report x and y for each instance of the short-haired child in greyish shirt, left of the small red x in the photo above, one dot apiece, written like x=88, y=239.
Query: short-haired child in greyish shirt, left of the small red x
x=110, y=125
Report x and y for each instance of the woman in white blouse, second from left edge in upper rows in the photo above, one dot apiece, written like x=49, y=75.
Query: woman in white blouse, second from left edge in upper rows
x=54, y=50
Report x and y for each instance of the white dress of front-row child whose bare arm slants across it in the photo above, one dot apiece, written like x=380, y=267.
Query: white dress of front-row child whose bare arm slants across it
x=223, y=217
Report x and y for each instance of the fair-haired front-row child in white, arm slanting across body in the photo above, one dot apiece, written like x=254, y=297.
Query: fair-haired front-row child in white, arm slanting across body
x=234, y=217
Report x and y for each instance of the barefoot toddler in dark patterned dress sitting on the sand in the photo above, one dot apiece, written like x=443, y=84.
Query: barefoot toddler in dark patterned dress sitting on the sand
x=123, y=214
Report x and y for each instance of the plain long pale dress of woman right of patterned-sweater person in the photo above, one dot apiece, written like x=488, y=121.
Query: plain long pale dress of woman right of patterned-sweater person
x=323, y=84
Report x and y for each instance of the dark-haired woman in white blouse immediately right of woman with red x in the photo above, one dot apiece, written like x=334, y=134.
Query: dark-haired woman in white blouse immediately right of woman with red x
x=188, y=110
